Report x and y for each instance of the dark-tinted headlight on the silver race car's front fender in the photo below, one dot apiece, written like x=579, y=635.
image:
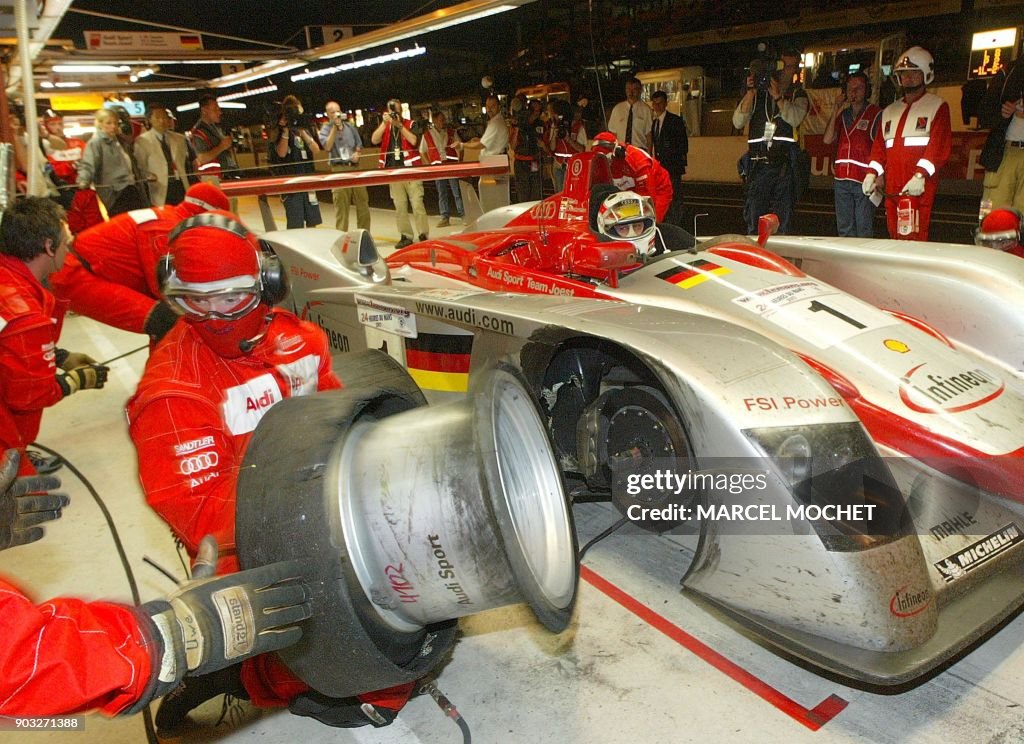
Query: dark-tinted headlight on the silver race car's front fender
x=835, y=468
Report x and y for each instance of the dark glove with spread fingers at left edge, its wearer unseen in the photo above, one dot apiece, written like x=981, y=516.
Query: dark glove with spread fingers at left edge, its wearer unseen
x=26, y=503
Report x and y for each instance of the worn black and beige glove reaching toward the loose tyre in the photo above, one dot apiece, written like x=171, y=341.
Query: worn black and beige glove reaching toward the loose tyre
x=216, y=623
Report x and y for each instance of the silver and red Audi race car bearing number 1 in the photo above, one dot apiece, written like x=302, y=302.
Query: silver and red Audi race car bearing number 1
x=729, y=366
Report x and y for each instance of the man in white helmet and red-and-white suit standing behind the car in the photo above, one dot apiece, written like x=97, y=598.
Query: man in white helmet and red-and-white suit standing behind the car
x=915, y=145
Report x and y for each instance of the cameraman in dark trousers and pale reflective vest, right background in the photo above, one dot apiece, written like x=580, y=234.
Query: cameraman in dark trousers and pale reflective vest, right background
x=775, y=107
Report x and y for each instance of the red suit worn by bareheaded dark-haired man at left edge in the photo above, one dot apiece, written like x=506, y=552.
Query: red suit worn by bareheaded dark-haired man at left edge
x=30, y=325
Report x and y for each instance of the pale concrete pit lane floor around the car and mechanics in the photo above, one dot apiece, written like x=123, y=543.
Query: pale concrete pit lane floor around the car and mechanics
x=641, y=662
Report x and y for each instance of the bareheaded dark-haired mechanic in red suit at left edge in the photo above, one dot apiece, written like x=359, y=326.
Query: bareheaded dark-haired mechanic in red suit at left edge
x=34, y=373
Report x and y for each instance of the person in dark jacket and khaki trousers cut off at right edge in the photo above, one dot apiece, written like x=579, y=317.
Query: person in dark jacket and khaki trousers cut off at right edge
x=1003, y=155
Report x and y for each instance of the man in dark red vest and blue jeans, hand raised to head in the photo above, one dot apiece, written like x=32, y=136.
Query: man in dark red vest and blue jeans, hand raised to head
x=857, y=134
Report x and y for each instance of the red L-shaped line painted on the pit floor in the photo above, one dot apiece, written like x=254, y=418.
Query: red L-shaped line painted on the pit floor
x=814, y=719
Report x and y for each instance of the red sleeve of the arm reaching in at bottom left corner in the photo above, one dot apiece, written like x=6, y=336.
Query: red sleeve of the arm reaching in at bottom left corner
x=66, y=655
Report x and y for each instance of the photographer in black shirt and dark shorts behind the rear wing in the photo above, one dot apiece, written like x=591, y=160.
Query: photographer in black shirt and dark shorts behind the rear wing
x=291, y=149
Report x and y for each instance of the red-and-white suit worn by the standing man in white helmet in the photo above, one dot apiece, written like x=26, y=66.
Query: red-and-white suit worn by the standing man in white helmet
x=916, y=139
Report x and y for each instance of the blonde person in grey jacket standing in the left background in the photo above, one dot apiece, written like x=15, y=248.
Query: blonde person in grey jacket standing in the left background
x=111, y=168
